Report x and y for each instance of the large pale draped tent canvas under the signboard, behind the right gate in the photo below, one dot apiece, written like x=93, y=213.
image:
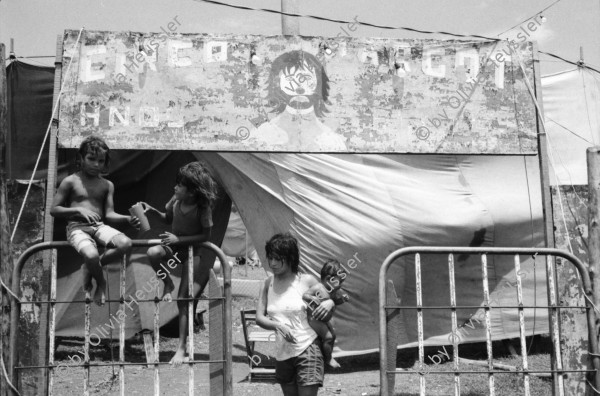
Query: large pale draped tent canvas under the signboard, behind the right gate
x=362, y=207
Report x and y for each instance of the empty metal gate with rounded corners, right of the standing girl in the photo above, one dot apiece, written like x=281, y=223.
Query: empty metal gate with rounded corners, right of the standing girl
x=557, y=373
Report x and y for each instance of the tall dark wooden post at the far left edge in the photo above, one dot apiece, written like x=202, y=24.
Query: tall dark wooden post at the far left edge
x=6, y=263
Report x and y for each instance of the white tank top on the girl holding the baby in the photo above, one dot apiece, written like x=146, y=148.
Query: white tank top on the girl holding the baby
x=289, y=308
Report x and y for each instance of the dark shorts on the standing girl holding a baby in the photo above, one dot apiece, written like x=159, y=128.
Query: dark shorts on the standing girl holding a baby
x=305, y=369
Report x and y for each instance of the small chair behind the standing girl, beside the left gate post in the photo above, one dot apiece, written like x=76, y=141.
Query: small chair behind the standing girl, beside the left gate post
x=252, y=335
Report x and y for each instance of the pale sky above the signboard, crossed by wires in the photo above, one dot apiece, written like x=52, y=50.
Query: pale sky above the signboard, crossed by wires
x=34, y=24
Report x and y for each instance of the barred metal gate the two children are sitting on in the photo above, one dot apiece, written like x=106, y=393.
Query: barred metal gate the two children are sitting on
x=225, y=362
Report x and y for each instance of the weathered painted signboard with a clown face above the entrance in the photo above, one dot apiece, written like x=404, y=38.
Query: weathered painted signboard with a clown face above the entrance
x=299, y=94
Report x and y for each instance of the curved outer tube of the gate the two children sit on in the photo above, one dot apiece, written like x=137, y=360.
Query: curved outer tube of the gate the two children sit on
x=227, y=339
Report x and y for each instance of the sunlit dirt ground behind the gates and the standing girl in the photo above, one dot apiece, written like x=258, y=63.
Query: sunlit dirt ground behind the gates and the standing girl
x=359, y=375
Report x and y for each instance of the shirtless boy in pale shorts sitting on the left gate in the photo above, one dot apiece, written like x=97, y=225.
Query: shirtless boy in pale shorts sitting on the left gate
x=85, y=198
